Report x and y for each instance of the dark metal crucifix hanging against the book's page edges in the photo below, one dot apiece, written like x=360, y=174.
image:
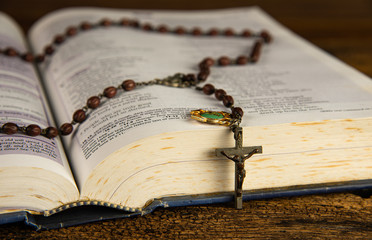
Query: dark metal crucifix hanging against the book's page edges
x=238, y=154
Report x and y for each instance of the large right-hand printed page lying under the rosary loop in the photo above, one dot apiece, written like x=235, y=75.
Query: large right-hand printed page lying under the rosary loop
x=292, y=82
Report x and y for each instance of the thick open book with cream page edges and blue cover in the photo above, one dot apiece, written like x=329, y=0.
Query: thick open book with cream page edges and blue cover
x=311, y=113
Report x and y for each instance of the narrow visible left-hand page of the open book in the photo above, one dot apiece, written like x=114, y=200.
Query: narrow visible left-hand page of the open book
x=22, y=102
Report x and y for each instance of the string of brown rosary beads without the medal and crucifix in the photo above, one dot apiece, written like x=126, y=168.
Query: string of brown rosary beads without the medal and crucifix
x=178, y=80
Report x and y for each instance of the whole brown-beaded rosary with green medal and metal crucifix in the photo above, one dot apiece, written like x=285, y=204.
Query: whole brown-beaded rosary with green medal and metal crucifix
x=238, y=154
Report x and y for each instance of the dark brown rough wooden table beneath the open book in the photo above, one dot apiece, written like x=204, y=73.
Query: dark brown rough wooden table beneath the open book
x=343, y=29
